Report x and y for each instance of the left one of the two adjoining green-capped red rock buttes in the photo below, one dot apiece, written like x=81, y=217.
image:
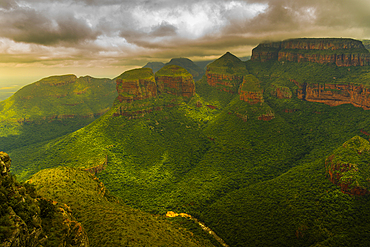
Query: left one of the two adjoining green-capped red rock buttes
x=136, y=84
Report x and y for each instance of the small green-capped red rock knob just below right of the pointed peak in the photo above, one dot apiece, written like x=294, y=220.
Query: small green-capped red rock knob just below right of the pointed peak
x=250, y=90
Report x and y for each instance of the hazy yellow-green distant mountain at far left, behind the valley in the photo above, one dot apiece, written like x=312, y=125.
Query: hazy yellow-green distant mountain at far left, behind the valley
x=52, y=107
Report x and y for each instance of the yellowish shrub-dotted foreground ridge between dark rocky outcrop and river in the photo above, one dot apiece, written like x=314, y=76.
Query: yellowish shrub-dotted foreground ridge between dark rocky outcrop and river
x=108, y=222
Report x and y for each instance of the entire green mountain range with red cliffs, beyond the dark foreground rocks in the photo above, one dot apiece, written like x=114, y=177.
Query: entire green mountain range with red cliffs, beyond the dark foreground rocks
x=272, y=151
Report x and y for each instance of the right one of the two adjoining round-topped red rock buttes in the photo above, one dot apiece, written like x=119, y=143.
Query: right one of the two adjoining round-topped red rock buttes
x=175, y=80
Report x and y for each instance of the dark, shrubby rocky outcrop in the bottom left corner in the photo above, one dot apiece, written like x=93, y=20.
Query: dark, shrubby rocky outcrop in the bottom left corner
x=29, y=220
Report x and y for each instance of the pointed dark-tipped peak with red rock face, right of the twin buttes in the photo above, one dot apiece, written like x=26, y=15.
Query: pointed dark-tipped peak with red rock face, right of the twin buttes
x=226, y=73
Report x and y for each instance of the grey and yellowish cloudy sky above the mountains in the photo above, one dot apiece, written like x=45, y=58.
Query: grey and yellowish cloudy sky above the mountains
x=103, y=38
